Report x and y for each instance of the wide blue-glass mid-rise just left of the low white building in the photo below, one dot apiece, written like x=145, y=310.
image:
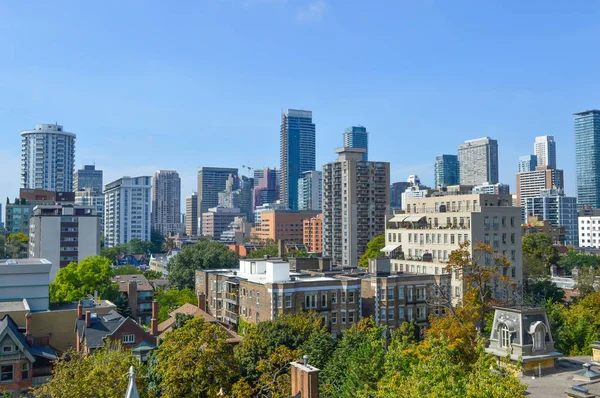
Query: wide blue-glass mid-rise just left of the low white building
x=552, y=205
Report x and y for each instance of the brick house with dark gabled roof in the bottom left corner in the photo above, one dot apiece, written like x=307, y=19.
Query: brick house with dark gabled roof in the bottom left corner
x=23, y=363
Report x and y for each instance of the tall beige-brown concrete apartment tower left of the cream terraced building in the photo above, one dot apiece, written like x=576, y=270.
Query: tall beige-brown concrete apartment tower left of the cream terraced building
x=353, y=212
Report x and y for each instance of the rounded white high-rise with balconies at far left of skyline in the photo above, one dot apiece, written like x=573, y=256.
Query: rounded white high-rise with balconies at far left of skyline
x=47, y=158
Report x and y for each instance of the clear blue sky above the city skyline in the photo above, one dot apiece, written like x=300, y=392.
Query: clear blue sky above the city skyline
x=150, y=85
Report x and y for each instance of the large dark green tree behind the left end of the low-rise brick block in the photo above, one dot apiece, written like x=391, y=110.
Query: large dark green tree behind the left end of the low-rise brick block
x=206, y=254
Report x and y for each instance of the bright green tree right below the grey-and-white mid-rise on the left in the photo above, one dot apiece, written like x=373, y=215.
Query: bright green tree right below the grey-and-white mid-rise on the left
x=76, y=281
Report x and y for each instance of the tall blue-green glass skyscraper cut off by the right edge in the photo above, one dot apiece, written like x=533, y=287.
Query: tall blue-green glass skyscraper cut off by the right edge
x=587, y=157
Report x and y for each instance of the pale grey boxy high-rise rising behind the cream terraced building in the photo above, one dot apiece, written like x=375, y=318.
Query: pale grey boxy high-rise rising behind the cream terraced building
x=478, y=161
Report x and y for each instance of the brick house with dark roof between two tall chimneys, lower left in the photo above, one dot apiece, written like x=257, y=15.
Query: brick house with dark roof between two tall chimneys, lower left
x=93, y=330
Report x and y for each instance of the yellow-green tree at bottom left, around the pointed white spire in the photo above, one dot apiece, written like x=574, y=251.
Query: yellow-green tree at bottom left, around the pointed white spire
x=104, y=374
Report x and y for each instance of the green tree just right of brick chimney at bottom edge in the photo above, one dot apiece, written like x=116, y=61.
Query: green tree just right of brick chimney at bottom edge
x=357, y=362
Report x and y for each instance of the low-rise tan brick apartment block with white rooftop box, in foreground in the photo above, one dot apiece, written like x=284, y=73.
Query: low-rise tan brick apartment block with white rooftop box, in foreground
x=263, y=289
